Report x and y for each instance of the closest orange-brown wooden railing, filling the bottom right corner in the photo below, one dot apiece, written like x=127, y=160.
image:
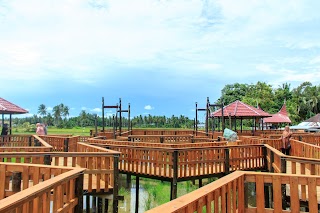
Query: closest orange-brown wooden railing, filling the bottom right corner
x=230, y=193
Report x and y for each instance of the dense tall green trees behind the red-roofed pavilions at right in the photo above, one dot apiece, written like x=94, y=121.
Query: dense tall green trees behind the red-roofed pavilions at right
x=302, y=102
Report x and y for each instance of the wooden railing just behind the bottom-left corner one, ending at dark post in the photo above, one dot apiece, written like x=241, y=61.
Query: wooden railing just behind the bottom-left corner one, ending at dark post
x=101, y=165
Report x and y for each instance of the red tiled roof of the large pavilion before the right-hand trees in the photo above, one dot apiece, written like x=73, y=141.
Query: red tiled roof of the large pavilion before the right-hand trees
x=240, y=109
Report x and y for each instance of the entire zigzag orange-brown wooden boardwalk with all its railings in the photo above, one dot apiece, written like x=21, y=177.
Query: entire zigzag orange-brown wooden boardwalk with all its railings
x=172, y=156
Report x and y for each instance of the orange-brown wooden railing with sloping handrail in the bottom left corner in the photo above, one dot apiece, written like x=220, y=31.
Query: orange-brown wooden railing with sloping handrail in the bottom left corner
x=35, y=188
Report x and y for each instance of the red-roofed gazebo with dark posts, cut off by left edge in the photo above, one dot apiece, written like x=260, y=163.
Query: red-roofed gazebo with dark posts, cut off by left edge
x=9, y=108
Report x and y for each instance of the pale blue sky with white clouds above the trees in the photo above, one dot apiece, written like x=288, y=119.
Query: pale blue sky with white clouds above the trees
x=161, y=56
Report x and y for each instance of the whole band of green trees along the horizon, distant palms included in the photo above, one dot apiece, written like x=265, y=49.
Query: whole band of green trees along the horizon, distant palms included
x=302, y=103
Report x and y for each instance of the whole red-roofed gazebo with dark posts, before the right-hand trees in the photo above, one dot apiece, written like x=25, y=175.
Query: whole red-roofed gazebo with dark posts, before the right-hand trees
x=240, y=110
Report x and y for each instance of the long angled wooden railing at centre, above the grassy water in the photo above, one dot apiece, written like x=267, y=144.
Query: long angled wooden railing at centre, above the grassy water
x=185, y=163
